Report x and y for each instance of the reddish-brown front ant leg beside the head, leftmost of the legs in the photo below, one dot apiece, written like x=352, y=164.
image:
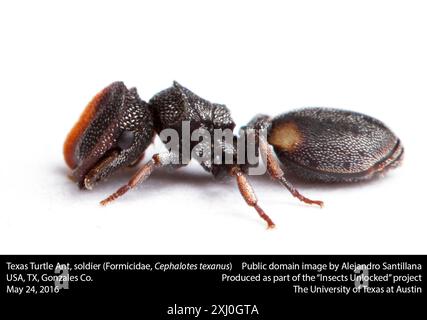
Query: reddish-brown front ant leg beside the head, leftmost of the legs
x=140, y=176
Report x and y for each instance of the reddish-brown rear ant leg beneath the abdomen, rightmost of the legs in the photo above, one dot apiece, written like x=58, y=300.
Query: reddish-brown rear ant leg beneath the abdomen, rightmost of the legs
x=277, y=173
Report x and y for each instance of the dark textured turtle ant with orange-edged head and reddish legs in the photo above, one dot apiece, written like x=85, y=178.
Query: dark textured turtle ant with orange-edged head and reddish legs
x=321, y=144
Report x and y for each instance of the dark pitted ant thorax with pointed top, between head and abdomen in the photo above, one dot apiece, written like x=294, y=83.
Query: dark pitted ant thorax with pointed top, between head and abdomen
x=193, y=128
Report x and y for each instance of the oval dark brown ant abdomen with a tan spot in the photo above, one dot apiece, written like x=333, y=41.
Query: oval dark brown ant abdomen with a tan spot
x=333, y=145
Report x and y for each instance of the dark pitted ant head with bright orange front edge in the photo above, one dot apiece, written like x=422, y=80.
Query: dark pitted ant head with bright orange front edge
x=113, y=131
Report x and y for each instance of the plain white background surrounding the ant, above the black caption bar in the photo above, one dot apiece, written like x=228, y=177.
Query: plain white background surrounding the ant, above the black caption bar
x=254, y=56
